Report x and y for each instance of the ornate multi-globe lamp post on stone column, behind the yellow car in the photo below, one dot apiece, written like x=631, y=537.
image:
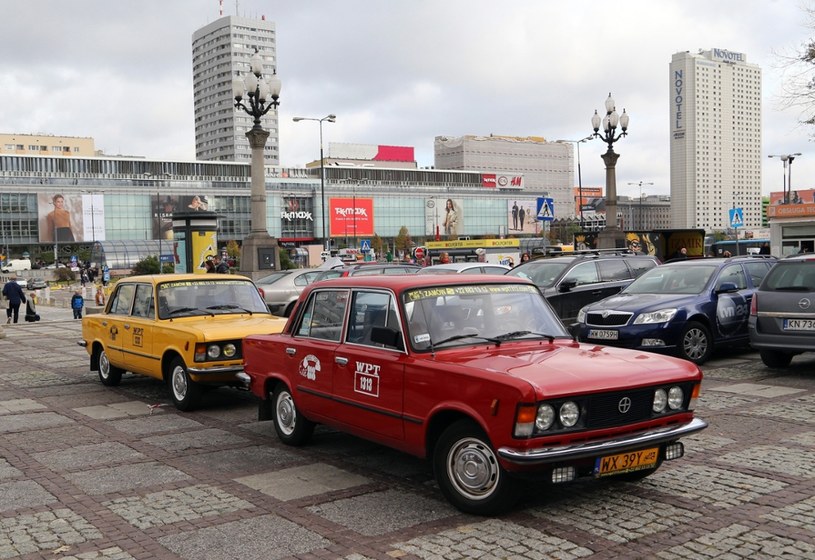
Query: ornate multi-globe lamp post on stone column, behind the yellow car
x=263, y=94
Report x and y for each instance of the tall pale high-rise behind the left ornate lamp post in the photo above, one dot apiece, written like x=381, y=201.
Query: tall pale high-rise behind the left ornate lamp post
x=221, y=51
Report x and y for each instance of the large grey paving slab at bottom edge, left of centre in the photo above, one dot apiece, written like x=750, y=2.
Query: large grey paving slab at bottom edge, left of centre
x=239, y=539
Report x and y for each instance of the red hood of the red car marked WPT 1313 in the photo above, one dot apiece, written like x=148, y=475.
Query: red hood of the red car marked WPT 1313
x=566, y=369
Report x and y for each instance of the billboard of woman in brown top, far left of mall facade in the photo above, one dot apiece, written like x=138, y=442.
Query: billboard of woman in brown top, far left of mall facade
x=70, y=218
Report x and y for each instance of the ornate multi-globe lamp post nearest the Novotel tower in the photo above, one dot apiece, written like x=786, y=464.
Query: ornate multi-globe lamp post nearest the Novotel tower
x=611, y=237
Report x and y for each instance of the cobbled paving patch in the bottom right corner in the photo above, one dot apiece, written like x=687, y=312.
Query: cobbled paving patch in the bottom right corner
x=739, y=541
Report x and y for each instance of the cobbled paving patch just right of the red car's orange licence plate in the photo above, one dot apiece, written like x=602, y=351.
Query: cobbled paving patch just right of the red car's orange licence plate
x=711, y=485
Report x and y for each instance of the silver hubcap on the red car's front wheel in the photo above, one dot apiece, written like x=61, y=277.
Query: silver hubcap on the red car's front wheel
x=473, y=469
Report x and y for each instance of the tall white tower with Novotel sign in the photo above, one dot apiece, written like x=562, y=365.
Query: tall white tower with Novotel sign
x=715, y=123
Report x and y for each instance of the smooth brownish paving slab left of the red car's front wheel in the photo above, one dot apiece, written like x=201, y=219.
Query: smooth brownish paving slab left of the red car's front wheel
x=299, y=482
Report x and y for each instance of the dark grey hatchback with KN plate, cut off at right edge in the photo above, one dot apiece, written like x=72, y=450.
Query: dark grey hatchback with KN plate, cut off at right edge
x=782, y=313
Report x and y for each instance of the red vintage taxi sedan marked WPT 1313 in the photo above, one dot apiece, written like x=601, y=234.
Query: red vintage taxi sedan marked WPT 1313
x=476, y=373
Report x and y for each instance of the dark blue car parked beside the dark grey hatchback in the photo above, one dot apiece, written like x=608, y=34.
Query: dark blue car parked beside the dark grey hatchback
x=684, y=308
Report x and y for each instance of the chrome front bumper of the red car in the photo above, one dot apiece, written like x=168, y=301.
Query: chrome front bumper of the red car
x=638, y=440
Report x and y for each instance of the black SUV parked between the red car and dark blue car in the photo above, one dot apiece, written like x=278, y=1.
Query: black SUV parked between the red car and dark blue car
x=572, y=281
